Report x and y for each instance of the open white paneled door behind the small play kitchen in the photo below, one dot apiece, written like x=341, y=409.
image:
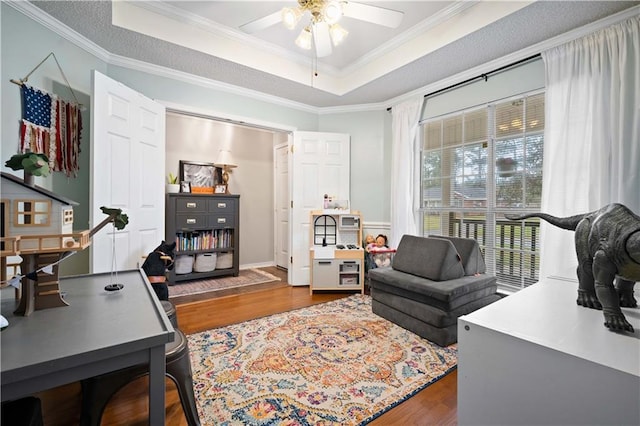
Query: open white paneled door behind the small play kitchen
x=320, y=164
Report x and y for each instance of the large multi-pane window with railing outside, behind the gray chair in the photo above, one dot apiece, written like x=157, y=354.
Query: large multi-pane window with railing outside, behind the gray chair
x=478, y=165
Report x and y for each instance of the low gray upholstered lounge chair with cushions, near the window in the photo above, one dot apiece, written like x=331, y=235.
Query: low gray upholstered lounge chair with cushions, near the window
x=432, y=281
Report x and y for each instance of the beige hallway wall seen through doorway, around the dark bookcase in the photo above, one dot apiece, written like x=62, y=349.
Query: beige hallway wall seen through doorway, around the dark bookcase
x=199, y=136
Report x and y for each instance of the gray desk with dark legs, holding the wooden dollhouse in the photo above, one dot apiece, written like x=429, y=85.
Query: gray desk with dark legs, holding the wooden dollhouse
x=99, y=332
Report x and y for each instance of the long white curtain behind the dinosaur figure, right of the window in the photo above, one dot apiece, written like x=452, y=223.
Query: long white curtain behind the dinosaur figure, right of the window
x=592, y=134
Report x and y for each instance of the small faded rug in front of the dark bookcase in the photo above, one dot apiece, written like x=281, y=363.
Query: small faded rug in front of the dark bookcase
x=244, y=278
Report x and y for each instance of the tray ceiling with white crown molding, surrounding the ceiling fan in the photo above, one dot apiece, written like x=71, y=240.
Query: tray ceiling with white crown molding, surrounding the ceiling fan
x=375, y=64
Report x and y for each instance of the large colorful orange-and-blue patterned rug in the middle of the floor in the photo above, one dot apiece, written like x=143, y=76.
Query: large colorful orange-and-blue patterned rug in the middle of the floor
x=333, y=363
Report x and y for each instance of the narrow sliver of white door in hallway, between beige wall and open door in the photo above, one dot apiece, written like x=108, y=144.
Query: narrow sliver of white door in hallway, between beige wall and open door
x=282, y=205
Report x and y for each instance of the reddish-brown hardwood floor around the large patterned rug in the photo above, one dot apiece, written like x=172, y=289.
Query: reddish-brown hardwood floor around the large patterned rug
x=435, y=405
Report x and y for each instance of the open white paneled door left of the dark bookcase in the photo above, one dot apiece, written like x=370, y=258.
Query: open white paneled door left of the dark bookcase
x=127, y=172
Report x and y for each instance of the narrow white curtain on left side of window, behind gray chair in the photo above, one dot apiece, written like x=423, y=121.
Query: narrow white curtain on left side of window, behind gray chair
x=404, y=169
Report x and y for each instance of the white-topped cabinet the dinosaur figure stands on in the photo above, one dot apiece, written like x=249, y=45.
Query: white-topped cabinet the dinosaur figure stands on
x=536, y=357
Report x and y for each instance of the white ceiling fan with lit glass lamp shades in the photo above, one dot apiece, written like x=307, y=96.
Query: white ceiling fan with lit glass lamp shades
x=322, y=16
